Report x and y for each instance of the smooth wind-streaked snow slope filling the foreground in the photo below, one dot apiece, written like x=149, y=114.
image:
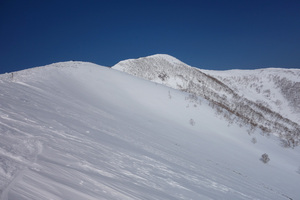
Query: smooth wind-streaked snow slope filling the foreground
x=77, y=130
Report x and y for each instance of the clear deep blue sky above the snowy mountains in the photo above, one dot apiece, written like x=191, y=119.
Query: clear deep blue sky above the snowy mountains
x=211, y=34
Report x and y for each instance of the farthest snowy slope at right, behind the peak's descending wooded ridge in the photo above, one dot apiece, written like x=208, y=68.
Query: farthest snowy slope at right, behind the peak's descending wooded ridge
x=278, y=89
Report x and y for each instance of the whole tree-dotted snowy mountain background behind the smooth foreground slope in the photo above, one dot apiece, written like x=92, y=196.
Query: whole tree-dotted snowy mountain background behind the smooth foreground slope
x=267, y=99
